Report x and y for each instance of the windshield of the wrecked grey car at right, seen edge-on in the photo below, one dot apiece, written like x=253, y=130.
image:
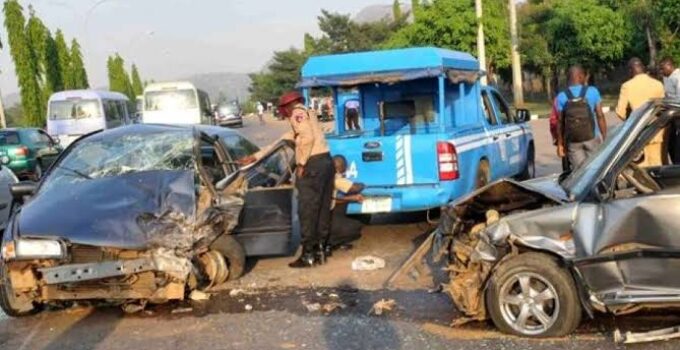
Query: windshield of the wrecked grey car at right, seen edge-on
x=580, y=181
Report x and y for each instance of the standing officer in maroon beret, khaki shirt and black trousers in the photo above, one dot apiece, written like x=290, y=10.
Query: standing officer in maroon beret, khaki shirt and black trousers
x=314, y=174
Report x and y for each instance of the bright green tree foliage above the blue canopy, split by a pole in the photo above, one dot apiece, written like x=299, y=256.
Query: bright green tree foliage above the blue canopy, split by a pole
x=453, y=24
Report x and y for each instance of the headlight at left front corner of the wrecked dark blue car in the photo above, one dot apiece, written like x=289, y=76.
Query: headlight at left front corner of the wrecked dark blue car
x=25, y=249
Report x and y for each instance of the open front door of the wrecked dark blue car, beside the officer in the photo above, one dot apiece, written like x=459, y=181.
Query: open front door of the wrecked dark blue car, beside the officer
x=268, y=222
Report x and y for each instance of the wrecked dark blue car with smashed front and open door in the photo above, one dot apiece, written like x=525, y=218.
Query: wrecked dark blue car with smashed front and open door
x=145, y=213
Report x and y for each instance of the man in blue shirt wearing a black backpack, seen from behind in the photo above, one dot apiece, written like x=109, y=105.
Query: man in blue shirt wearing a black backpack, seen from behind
x=582, y=125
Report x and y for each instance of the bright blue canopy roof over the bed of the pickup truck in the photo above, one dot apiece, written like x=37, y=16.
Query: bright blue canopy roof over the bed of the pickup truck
x=386, y=66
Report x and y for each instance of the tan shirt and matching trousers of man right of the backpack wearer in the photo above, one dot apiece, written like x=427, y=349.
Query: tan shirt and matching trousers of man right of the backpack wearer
x=634, y=93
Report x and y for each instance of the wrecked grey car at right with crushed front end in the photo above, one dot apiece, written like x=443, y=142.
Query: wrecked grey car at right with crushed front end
x=534, y=256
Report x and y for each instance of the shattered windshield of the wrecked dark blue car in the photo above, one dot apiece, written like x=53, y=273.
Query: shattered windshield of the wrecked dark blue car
x=101, y=156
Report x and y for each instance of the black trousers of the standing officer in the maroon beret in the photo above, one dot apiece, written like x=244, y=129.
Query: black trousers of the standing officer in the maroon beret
x=315, y=192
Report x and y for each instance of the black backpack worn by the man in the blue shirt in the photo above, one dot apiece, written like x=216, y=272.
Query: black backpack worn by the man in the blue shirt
x=577, y=118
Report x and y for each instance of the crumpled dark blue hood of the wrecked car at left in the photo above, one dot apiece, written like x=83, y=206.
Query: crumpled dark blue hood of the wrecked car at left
x=130, y=211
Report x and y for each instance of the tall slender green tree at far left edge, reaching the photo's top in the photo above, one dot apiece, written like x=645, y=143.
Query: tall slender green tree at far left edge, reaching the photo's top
x=25, y=63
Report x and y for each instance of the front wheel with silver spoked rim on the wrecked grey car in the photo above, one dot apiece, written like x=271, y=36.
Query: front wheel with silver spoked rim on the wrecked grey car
x=531, y=295
